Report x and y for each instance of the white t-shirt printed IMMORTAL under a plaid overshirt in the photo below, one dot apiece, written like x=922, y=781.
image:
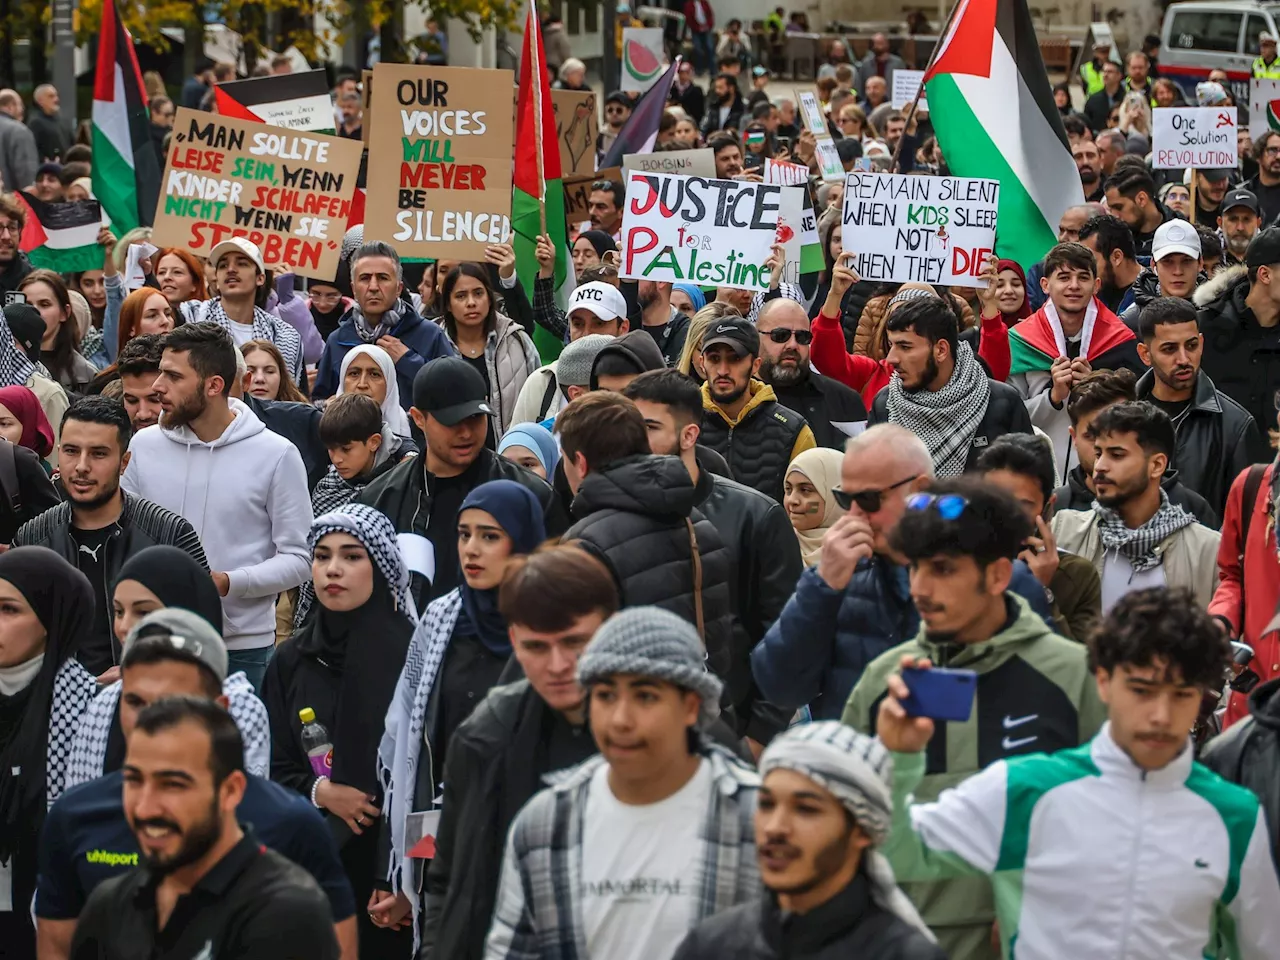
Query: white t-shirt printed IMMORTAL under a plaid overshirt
x=641, y=868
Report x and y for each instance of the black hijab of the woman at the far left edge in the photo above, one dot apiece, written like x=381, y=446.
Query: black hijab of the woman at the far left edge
x=63, y=601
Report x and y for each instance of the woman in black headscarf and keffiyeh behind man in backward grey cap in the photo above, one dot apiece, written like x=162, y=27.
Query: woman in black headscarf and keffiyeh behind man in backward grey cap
x=152, y=580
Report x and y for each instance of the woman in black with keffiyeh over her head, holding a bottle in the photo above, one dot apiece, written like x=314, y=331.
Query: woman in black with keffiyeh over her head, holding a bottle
x=342, y=665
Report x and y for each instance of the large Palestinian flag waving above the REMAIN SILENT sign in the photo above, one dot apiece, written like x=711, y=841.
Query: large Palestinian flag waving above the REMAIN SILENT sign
x=994, y=115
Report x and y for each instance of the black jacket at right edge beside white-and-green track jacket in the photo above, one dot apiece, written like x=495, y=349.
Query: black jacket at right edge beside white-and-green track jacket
x=1249, y=755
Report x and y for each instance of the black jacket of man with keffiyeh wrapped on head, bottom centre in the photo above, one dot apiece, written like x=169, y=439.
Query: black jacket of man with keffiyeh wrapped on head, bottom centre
x=848, y=926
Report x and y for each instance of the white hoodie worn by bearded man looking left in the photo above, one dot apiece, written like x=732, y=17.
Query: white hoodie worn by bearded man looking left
x=246, y=495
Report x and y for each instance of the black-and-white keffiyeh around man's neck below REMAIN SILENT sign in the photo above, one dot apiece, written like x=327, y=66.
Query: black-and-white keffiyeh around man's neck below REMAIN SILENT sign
x=948, y=419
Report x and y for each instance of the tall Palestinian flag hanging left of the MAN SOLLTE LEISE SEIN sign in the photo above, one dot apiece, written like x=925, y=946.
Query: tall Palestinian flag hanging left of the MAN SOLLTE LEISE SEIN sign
x=126, y=168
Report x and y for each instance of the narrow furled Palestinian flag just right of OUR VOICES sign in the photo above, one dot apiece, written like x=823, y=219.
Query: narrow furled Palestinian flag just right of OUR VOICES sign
x=537, y=179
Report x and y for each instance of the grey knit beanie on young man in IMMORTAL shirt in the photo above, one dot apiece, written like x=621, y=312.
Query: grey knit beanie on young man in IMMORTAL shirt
x=650, y=642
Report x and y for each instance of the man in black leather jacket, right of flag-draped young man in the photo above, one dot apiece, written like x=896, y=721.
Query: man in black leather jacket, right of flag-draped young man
x=1217, y=437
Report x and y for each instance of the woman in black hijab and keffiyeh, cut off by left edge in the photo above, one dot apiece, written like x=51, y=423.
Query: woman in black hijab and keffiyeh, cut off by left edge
x=48, y=606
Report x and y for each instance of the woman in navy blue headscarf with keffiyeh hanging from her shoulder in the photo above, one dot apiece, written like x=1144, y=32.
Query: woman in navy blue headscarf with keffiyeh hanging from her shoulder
x=460, y=651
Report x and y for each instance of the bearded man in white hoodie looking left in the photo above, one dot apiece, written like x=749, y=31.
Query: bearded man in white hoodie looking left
x=241, y=487
